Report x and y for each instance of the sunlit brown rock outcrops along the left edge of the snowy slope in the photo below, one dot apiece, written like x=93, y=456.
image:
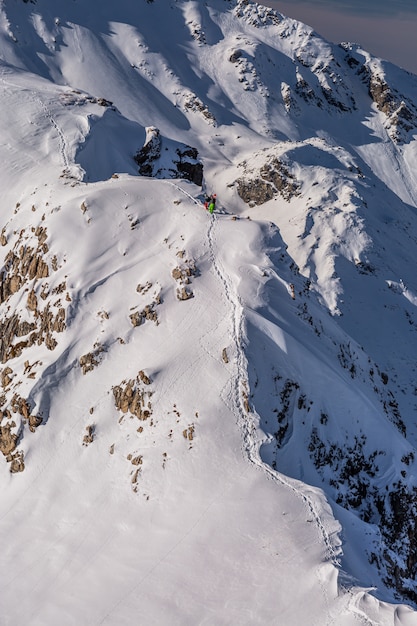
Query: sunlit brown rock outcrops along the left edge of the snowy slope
x=26, y=268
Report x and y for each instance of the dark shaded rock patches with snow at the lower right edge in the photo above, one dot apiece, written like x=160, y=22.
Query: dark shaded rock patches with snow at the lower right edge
x=393, y=507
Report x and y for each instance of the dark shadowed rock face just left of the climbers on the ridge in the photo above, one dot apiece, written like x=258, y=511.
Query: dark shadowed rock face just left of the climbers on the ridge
x=162, y=158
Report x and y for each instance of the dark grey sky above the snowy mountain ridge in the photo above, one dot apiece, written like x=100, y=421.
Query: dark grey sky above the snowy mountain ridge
x=384, y=28
